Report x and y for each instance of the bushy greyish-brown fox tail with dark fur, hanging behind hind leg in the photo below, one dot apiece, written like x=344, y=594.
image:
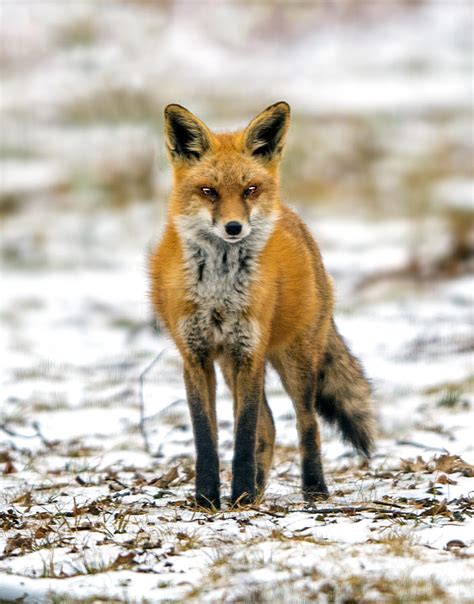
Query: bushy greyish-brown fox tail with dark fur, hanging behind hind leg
x=344, y=395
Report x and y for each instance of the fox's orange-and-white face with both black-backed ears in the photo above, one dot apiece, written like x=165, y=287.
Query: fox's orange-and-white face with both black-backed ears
x=225, y=184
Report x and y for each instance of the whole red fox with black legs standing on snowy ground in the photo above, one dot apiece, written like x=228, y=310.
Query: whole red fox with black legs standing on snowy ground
x=238, y=279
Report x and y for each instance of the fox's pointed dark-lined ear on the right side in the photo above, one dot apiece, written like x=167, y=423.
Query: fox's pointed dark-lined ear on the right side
x=265, y=136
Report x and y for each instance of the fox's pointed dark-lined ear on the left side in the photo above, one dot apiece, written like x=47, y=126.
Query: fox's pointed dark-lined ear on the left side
x=187, y=138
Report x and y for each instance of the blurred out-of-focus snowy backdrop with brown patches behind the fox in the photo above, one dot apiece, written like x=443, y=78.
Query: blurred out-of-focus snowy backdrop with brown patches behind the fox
x=379, y=162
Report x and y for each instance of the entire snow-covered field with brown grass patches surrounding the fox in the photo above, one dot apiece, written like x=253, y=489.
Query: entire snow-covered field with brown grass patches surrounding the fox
x=87, y=513
